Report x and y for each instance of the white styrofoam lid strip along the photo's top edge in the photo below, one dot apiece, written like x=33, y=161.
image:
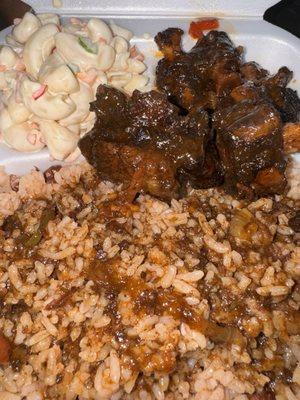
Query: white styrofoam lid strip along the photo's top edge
x=157, y=8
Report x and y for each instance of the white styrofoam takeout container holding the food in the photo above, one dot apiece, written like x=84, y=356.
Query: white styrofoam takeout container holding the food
x=270, y=46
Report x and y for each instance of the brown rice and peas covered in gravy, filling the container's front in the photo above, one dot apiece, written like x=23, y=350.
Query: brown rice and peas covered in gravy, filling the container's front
x=147, y=300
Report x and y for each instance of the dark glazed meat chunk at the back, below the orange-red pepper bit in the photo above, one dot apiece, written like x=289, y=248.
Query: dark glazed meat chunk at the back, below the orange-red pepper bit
x=202, y=76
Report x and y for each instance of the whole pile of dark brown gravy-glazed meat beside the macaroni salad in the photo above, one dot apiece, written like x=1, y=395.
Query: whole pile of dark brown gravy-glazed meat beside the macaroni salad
x=216, y=120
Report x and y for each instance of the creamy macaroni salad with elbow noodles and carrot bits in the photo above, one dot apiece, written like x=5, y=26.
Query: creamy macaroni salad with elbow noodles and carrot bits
x=49, y=74
